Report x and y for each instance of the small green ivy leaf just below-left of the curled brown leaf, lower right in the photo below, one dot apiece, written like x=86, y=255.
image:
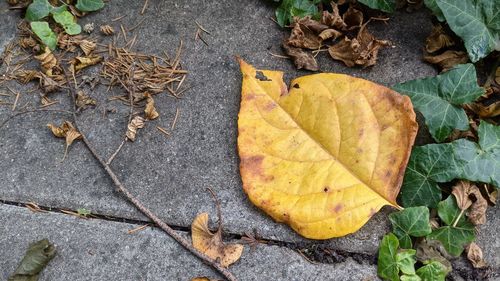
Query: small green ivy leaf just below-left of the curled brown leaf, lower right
x=454, y=239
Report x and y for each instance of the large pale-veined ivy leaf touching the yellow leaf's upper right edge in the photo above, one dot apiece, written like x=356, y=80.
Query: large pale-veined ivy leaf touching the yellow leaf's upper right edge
x=439, y=98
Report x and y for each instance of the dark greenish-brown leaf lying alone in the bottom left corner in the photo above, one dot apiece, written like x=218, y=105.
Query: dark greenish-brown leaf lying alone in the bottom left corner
x=38, y=255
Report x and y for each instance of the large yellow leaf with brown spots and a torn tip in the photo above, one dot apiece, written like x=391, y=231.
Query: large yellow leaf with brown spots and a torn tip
x=326, y=155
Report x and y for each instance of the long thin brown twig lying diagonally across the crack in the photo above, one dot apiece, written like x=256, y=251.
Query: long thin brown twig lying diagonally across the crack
x=177, y=237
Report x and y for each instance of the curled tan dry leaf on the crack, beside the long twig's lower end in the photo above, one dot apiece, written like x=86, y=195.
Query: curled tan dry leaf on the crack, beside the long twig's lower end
x=211, y=244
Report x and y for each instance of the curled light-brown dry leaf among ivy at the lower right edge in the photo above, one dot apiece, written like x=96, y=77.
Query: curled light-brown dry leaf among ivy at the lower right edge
x=463, y=191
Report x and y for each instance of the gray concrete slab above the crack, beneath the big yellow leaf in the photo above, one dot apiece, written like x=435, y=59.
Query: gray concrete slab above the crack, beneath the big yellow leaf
x=170, y=174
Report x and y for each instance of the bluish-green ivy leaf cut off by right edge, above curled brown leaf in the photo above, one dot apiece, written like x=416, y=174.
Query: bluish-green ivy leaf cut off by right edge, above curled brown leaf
x=480, y=162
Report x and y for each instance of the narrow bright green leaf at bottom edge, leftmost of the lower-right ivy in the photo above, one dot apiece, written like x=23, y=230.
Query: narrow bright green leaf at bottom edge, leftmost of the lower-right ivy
x=387, y=264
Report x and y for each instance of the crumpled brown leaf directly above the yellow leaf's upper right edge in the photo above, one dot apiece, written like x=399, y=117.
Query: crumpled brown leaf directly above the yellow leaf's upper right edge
x=362, y=50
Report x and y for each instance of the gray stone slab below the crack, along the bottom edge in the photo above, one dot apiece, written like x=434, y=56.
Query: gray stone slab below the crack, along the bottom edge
x=102, y=250
